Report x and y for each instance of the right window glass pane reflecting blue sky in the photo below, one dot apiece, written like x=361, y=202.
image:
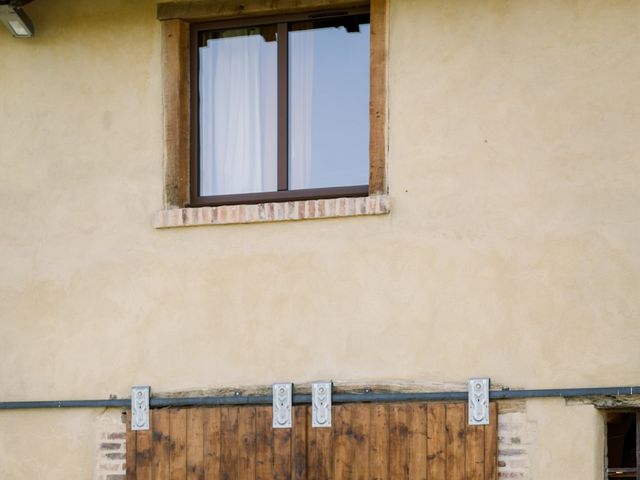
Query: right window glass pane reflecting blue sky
x=329, y=103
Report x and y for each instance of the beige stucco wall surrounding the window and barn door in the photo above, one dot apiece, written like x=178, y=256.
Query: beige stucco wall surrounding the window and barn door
x=512, y=249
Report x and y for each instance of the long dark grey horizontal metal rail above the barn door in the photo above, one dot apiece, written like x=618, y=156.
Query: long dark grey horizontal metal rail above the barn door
x=301, y=399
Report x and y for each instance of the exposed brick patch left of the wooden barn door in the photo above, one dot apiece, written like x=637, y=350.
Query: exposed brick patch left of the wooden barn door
x=111, y=458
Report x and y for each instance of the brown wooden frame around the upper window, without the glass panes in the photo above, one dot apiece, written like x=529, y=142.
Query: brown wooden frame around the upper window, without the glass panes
x=180, y=19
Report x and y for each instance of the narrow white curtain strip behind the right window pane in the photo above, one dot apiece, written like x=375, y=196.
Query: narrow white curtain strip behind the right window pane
x=301, y=60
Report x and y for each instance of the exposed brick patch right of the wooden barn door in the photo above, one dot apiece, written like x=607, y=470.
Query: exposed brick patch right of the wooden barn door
x=516, y=434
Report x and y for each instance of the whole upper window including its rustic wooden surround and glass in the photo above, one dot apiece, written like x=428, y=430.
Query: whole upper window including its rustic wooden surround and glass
x=281, y=167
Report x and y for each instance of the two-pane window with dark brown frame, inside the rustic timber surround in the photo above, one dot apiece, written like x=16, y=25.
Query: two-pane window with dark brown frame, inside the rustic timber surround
x=280, y=108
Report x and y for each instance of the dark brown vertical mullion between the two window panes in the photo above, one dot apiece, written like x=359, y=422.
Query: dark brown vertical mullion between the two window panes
x=283, y=107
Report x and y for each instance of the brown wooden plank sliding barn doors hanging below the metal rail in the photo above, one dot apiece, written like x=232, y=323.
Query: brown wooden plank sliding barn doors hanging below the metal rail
x=367, y=441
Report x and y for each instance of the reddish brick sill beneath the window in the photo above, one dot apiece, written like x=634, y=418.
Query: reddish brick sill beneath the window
x=272, y=212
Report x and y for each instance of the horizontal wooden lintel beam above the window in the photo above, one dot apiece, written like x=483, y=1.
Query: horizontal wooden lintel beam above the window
x=198, y=10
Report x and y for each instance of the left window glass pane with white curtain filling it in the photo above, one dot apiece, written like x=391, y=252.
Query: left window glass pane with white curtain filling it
x=238, y=111
